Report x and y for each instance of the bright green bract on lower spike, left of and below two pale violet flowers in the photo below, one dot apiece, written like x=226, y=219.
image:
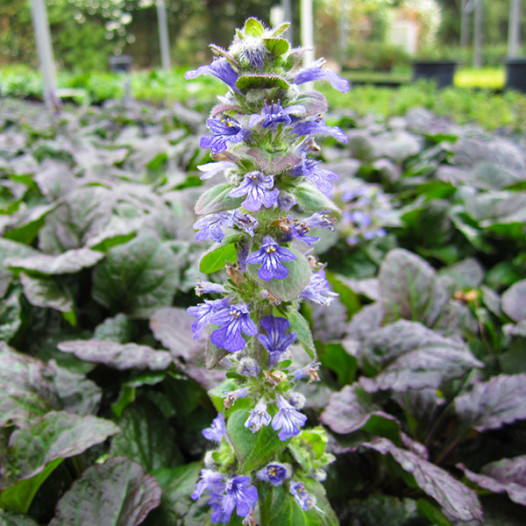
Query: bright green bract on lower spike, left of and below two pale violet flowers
x=252, y=449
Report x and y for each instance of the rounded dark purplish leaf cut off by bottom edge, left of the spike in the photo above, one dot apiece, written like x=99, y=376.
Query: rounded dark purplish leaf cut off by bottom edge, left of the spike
x=117, y=493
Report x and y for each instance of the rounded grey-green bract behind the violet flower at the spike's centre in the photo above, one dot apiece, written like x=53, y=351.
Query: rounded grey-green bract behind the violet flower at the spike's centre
x=291, y=286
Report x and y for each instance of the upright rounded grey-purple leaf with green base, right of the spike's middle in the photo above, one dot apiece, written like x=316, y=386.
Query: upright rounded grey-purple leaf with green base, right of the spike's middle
x=409, y=289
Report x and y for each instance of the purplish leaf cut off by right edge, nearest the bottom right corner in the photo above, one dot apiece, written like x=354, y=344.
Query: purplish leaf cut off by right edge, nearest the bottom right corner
x=506, y=475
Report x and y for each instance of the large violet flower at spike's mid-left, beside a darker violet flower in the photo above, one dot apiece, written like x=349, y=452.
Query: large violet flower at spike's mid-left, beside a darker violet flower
x=232, y=321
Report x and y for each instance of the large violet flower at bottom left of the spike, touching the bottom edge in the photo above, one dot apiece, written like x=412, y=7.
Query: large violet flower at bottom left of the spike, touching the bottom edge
x=239, y=495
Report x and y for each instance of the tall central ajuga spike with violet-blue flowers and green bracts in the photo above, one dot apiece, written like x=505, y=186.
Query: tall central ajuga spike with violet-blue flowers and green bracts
x=267, y=465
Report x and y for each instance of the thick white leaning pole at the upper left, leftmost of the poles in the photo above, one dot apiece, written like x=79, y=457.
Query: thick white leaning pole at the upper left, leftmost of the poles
x=45, y=52
